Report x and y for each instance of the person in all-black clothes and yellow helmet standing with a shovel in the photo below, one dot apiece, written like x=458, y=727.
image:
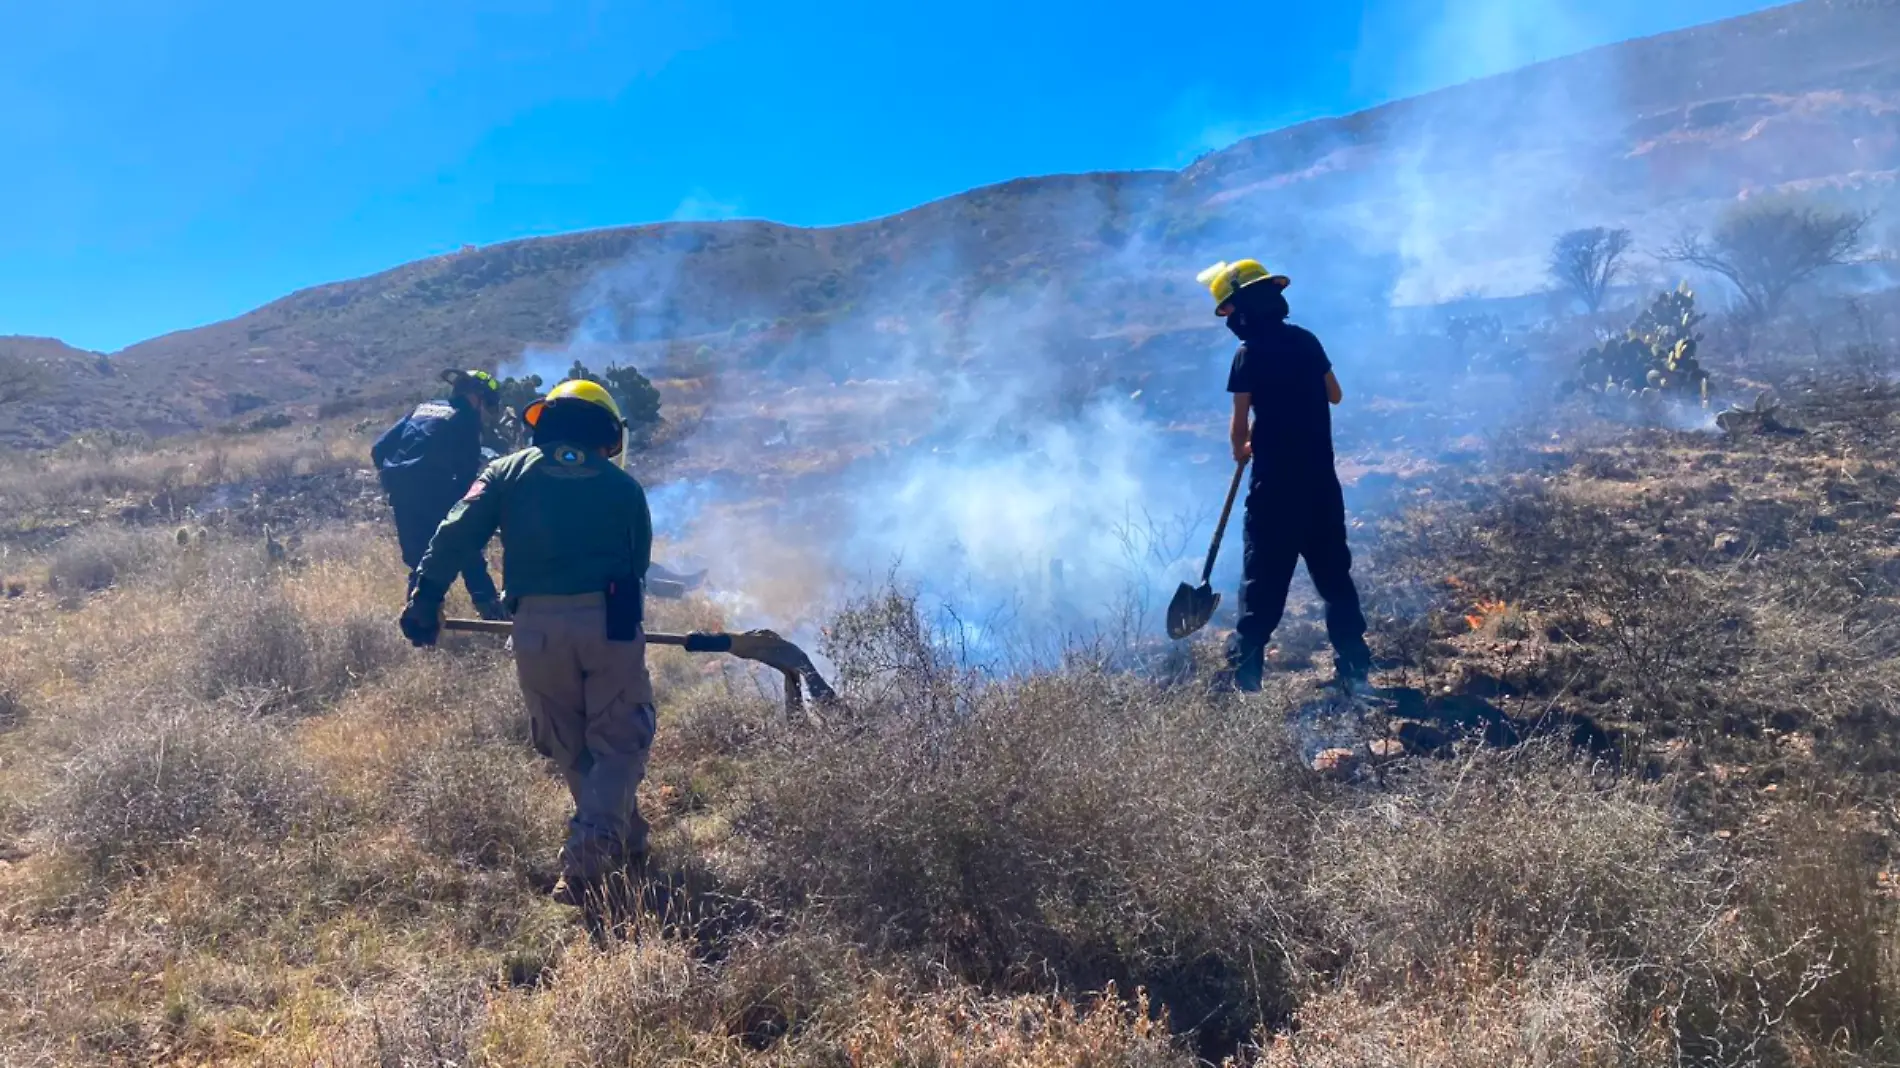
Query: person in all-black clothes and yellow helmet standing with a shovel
x=1283, y=394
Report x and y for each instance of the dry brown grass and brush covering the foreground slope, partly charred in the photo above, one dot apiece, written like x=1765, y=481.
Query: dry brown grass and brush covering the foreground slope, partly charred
x=1625, y=799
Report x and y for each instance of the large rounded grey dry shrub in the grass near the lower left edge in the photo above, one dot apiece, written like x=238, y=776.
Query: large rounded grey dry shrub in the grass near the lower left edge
x=155, y=784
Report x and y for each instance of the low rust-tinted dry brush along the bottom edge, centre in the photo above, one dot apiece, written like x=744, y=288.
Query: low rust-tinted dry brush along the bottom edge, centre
x=805, y=1002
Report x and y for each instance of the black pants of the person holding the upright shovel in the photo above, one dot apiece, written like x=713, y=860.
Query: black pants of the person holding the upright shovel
x=1287, y=524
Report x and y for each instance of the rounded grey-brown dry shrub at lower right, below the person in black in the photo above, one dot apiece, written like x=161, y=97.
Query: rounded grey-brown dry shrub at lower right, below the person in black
x=1523, y=858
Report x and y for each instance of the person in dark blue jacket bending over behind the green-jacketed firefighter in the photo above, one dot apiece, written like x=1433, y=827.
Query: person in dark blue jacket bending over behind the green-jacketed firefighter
x=428, y=461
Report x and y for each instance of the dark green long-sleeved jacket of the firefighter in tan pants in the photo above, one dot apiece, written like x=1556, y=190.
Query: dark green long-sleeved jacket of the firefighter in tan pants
x=571, y=522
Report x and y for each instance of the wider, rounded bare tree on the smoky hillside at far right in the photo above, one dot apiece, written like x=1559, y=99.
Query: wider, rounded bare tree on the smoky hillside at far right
x=1766, y=250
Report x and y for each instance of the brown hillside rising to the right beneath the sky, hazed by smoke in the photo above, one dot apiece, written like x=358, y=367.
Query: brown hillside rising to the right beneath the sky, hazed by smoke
x=1424, y=200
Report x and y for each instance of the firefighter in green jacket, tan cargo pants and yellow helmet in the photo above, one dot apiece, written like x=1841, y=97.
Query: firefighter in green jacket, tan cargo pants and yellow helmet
x=577, y=543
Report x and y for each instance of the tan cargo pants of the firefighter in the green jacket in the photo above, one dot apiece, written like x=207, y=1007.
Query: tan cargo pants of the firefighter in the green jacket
x=592, y=714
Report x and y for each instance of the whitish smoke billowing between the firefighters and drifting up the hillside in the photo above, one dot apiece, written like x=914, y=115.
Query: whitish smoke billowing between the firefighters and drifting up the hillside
x=1054, y=449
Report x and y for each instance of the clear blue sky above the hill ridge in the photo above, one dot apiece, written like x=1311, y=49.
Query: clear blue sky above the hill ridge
x=170, y=164
